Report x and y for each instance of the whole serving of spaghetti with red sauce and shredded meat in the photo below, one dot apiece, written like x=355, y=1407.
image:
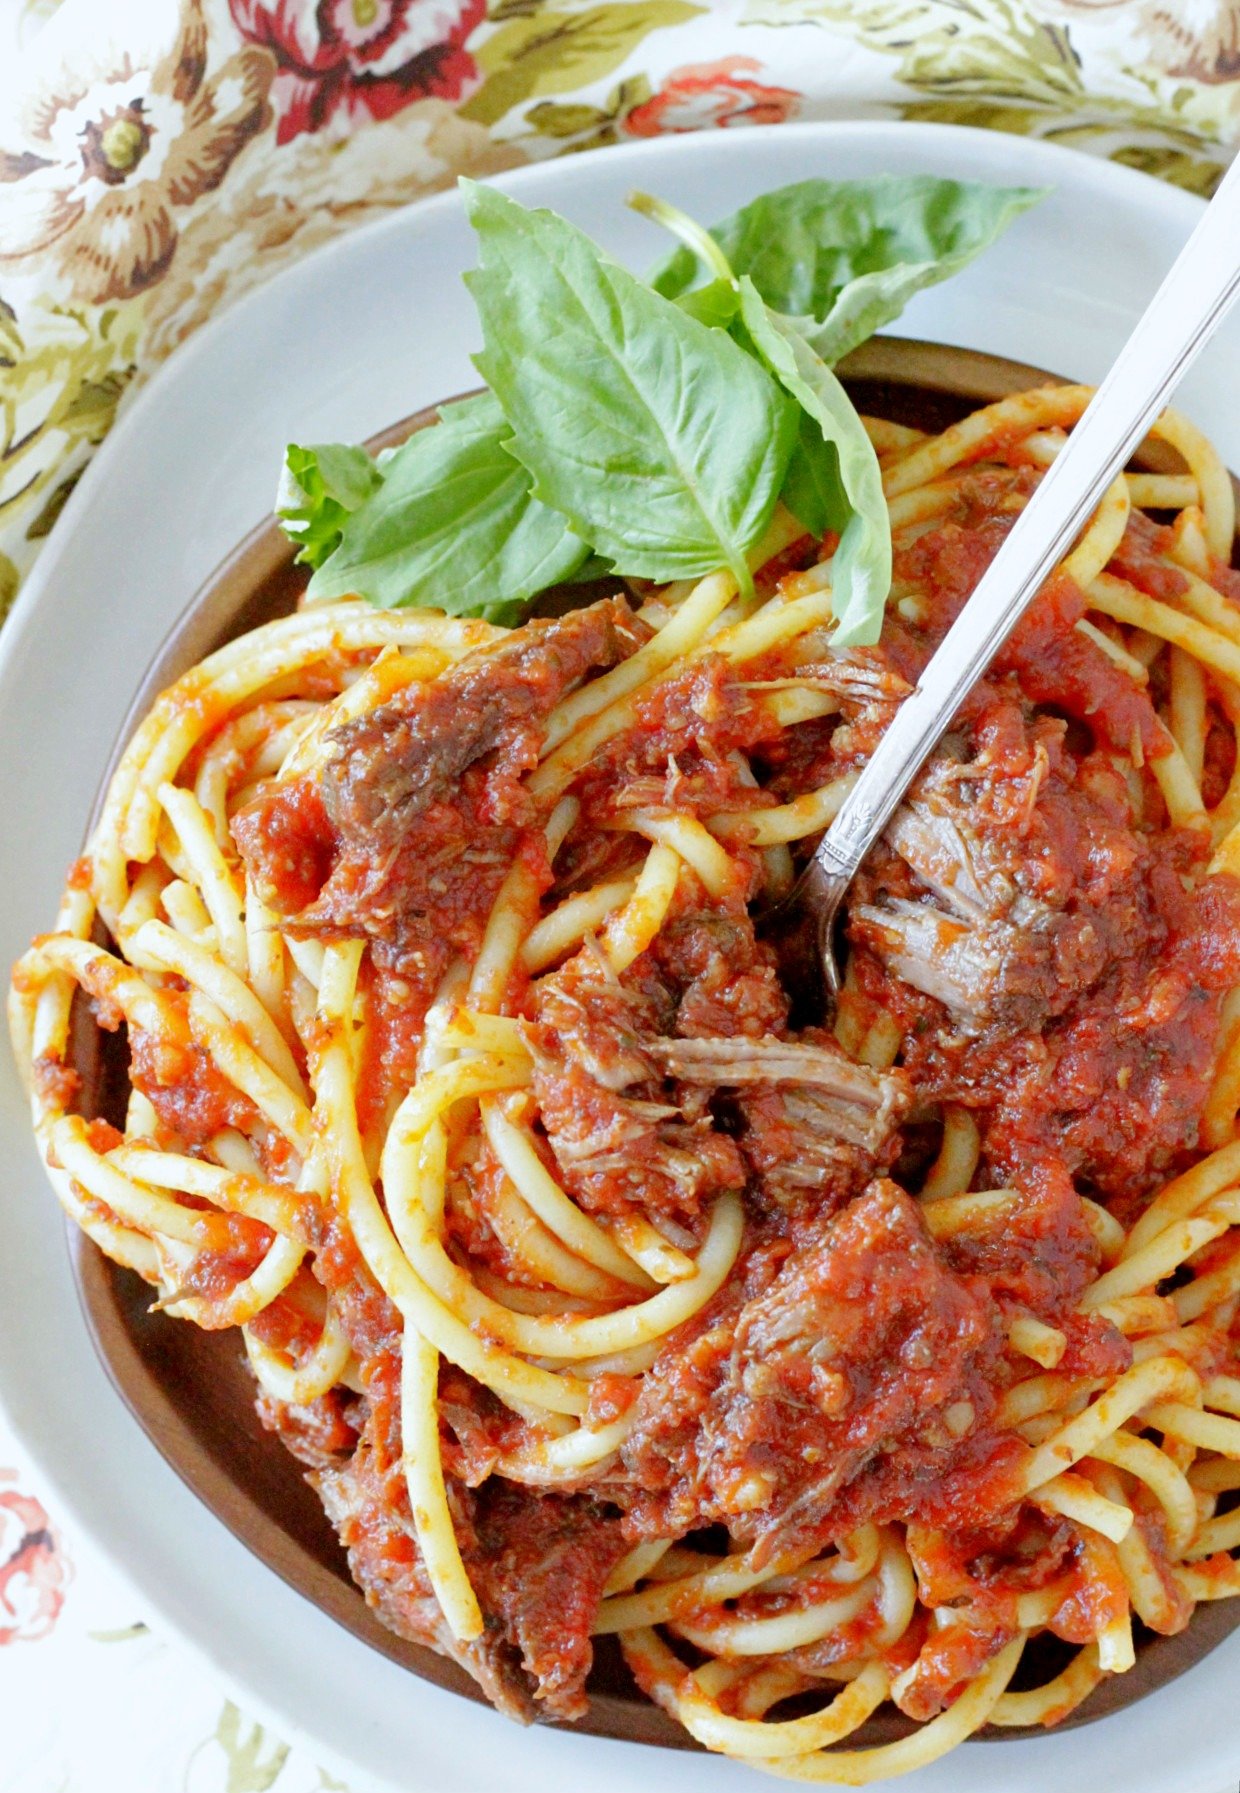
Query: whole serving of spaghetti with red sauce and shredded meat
x=599, y=1297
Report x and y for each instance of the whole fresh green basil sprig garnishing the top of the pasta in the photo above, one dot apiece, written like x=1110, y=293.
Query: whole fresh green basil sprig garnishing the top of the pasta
x=633, y=433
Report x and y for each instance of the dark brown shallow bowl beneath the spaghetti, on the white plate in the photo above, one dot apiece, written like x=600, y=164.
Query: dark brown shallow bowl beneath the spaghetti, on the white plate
x=193, y=1392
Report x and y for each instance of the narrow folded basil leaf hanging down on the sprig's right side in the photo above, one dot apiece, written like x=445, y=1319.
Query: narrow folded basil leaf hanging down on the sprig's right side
x=843, y=469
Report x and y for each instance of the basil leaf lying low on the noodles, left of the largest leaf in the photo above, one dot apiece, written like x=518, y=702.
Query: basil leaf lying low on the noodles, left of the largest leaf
x=452, y=526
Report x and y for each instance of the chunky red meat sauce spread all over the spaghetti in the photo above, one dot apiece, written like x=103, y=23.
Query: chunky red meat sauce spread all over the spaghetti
x=852, y=1367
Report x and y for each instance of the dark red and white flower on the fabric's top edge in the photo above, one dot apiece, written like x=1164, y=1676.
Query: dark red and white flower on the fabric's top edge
x=359, y=58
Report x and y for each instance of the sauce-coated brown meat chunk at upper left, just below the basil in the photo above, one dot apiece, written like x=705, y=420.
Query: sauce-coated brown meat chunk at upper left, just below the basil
x=418, y=815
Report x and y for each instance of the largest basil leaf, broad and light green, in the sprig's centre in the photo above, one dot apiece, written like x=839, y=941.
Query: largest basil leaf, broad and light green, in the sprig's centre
x=659, y=438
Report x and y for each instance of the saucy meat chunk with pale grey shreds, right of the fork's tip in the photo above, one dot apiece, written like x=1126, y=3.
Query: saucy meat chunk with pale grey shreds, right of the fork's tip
x=1053, y=964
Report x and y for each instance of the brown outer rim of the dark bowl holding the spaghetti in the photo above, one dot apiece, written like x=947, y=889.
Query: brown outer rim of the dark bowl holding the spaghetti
x=263, y=564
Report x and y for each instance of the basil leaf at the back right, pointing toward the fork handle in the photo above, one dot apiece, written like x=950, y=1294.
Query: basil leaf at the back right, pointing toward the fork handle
x=845, y=257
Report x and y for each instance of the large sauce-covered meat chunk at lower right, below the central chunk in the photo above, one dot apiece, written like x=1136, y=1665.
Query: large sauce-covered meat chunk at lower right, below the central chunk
x=852, y=1387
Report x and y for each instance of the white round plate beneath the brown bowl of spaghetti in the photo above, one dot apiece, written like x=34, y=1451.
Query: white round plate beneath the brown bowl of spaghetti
x=359, y=334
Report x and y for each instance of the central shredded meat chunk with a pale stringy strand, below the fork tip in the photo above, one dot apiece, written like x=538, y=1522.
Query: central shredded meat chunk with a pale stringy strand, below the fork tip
x=646, y=1118
